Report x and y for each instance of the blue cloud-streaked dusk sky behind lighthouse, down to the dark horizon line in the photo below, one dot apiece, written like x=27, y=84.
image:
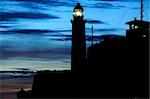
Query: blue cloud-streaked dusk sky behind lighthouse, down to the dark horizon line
x=36, y=34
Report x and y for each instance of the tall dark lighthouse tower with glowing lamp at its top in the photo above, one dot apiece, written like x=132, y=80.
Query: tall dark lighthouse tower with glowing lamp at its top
x=78, y=54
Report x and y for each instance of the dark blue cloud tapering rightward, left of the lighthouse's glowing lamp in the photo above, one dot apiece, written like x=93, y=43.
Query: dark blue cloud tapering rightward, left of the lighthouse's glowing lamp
x=6, y=16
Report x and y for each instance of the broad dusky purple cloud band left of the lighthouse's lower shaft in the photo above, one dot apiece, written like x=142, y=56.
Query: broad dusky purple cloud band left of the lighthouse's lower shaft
x=49, y=55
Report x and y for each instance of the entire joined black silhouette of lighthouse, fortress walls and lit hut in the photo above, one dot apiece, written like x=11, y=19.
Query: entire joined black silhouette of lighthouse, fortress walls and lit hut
x=117, y=67
